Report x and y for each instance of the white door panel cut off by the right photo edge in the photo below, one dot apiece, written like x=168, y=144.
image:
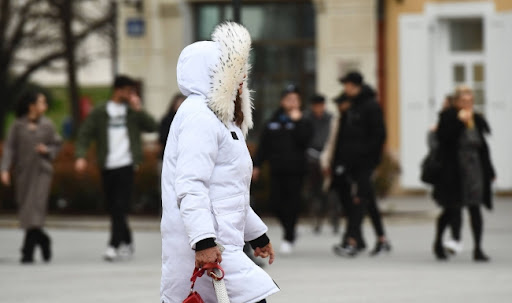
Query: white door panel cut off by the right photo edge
x=498, y=42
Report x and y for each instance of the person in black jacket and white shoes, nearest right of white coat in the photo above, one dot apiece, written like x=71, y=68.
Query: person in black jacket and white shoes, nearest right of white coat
x=283, y=143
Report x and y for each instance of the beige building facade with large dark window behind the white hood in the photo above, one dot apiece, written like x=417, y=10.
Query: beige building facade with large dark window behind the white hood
x=307, y=43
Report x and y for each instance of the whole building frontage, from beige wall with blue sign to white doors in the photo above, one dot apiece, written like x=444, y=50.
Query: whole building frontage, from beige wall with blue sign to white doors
x=414, y=51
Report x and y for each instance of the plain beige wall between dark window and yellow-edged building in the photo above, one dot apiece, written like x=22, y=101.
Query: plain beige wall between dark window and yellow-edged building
x=346, y=38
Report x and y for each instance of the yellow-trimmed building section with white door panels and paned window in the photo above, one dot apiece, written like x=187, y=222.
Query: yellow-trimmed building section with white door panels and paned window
x=433, y=46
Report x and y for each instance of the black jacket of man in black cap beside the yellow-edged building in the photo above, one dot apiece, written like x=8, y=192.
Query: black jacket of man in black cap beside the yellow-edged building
x=361, y=134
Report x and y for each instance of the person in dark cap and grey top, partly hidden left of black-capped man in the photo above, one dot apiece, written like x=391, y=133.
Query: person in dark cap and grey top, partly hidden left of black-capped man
x=320, y=121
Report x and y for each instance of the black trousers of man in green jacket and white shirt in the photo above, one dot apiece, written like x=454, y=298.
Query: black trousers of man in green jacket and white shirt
x=118, y=185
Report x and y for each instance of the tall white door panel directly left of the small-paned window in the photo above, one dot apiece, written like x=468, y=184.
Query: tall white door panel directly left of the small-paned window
x=414, y=97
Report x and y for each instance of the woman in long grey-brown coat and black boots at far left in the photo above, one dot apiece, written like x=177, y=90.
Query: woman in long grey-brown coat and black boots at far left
x=31, y=146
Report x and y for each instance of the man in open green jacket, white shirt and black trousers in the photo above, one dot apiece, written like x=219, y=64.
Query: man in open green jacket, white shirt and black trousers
x=116, y=127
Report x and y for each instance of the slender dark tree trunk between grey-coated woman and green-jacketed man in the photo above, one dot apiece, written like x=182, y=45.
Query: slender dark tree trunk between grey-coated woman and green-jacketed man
x=71, y=67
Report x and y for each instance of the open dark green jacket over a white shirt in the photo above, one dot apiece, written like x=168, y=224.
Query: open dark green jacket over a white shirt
x=95, y=127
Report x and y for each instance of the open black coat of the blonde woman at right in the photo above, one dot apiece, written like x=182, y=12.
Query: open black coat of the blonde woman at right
x=448, y=191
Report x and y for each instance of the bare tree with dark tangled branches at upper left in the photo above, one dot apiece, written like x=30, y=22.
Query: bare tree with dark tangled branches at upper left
x=38, y=34
